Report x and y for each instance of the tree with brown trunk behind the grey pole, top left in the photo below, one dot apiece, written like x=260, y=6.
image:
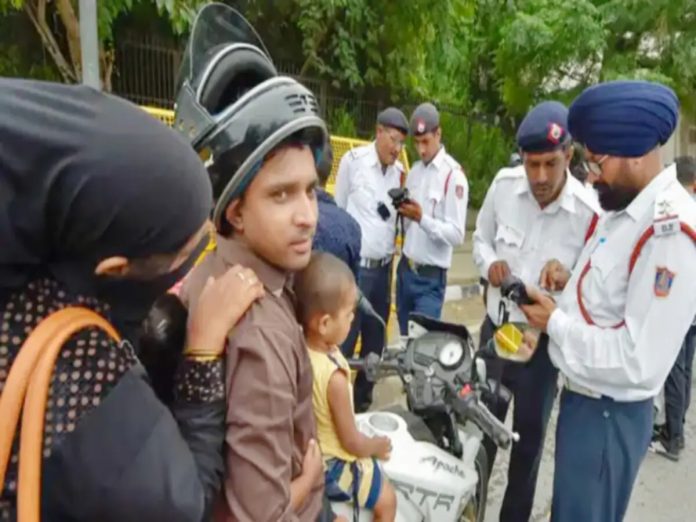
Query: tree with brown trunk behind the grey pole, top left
x=57, y=25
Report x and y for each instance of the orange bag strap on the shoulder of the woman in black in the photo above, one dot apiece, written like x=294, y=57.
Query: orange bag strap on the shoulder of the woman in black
x=28, y=382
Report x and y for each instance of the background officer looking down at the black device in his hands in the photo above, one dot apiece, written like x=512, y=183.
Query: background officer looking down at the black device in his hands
x=436, y=220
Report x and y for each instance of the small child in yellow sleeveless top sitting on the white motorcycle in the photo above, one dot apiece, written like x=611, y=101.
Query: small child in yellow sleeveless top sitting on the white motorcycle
x=326, y=295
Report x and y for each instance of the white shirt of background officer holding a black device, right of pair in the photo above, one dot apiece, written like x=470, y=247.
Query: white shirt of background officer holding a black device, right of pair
x=442, y=191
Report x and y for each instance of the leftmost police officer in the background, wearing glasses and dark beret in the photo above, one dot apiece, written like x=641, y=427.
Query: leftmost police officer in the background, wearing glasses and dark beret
x=365, y=176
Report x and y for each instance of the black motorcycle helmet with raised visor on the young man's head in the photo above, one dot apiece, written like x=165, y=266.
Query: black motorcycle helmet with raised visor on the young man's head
x=233, y=106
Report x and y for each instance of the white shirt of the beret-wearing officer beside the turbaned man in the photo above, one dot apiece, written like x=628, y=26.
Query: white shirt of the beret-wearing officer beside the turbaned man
x=512, y=227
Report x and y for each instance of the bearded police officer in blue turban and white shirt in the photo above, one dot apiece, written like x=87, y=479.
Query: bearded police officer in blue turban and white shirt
x=617, y=328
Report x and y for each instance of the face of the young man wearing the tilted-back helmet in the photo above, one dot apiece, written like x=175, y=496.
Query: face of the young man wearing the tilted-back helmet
x=277, y=216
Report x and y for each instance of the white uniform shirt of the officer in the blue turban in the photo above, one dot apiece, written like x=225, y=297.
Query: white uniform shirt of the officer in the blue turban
x=617, y=331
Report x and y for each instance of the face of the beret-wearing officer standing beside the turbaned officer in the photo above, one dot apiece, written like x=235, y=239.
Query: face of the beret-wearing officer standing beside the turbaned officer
x=546, y=173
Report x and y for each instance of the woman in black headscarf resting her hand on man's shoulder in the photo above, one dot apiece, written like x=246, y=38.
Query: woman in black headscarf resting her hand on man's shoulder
x=102, y=206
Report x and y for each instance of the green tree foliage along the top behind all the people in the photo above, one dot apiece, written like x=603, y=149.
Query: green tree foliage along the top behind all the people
x=491, y=59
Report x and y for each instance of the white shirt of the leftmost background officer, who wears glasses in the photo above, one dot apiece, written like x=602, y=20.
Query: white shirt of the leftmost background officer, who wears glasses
x=360, y=187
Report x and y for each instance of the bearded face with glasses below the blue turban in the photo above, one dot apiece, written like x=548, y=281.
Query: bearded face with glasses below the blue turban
x=614, y=184
